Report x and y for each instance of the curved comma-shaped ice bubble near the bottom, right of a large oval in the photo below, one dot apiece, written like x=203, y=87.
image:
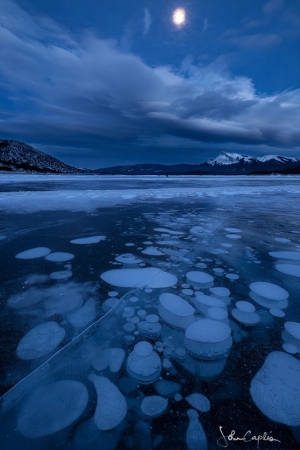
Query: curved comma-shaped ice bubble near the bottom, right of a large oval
x=111, y=405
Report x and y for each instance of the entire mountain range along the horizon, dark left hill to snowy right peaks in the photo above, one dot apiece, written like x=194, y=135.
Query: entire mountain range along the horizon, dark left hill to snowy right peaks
x=16, y=156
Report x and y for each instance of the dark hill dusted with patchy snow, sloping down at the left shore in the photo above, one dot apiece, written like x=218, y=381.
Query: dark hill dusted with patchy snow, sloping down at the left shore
x=16, y=156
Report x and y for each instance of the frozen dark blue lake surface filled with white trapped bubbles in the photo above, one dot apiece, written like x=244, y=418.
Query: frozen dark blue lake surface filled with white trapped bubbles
x=148, y=312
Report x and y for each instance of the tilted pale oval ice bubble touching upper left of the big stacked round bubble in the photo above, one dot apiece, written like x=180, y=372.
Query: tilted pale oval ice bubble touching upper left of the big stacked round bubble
x=175, y=311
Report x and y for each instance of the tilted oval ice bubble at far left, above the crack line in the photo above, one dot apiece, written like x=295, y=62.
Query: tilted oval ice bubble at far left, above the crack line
x=40, y=341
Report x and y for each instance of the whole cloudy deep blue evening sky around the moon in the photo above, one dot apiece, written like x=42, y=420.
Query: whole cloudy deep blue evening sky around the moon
x=97, y=82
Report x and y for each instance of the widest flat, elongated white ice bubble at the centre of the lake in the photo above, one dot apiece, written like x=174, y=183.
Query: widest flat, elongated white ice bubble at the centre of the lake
x=151, y=277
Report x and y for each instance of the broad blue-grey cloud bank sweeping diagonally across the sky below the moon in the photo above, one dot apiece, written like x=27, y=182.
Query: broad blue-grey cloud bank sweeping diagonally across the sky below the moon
x=66, y=90
